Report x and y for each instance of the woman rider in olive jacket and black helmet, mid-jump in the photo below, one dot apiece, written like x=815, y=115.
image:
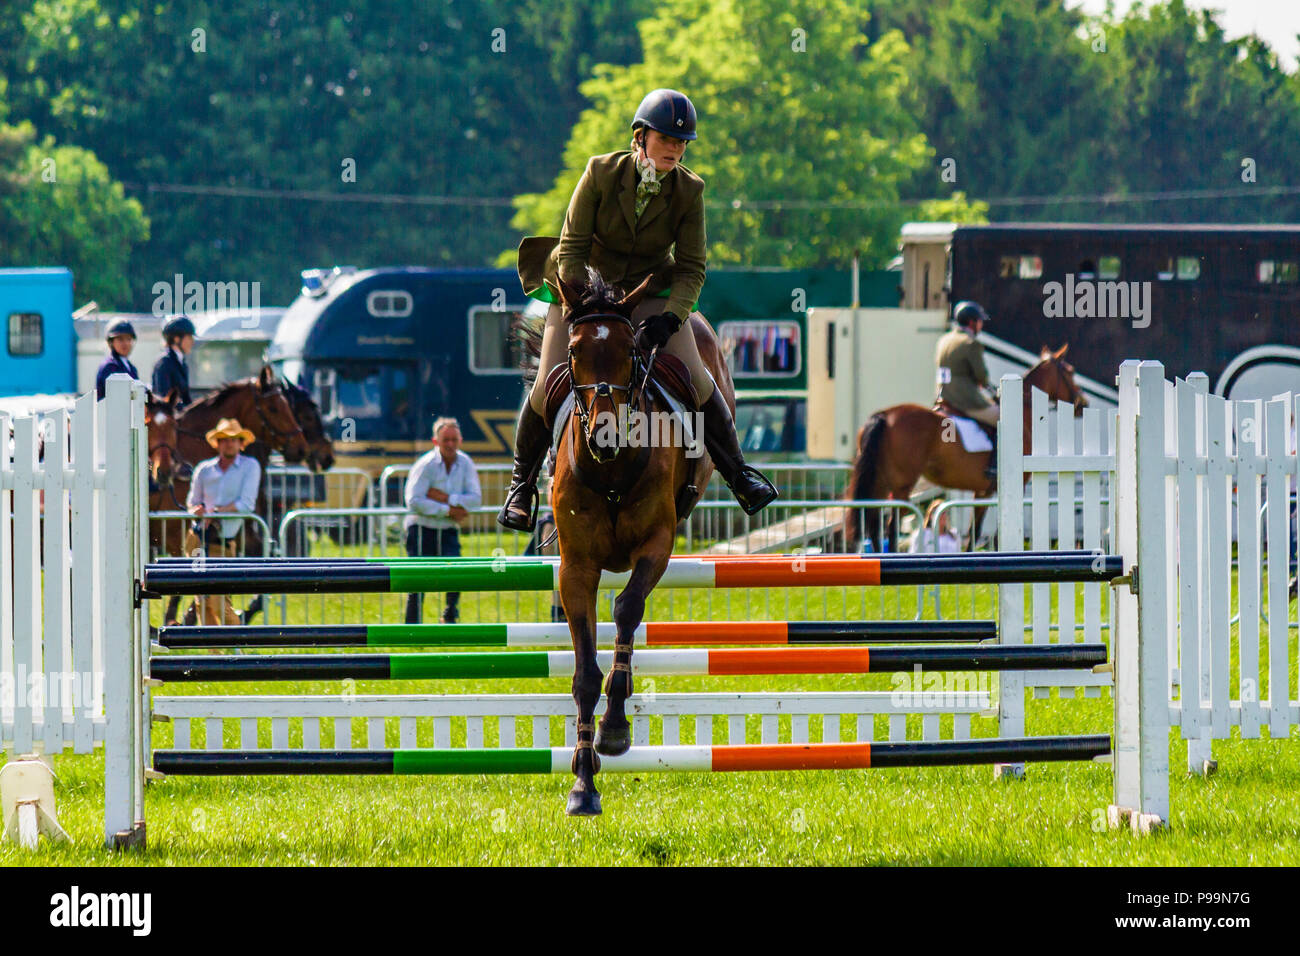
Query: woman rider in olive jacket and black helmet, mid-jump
x=636, y=213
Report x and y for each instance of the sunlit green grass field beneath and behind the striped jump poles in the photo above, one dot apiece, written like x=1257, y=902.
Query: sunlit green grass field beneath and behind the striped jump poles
x=1246, y=815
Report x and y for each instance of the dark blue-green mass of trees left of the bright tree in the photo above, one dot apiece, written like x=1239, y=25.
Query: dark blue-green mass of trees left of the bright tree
x=469, y=100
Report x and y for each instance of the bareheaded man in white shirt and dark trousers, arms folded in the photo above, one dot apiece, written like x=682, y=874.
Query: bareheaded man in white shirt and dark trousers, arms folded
x=441, y=494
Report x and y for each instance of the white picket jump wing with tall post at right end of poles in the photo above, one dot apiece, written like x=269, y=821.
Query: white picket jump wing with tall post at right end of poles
x=1191, y=470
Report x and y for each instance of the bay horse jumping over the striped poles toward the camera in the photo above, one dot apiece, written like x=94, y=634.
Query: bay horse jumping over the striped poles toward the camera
x=617, y=509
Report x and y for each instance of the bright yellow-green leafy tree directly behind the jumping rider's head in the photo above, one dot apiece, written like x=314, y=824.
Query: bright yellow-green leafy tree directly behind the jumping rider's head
x=803, y=140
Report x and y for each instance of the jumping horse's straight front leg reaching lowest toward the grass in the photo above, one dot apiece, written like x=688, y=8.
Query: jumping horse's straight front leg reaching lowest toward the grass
x=578, y=594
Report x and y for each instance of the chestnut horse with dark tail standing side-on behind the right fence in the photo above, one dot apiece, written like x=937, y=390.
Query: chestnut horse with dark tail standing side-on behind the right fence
x=900, y=445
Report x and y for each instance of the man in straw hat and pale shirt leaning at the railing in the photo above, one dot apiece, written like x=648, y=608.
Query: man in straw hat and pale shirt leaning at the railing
x=227, y=485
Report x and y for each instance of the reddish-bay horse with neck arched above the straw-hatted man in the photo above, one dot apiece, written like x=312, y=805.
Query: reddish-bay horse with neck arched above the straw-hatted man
x=262, y=406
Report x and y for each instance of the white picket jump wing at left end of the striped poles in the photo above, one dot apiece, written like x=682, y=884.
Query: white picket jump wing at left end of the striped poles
x=66, y=498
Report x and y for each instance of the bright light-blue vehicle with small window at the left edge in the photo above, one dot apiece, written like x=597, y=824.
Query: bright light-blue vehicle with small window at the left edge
x=41, y=344
